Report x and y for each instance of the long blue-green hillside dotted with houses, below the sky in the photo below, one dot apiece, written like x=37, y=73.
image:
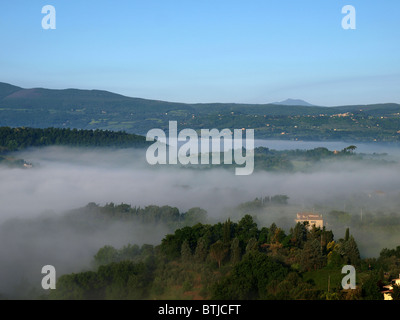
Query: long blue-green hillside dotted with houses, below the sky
x=96, y=109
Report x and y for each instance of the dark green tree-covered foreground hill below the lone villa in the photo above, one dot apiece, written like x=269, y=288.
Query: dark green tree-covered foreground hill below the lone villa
x=229, y=260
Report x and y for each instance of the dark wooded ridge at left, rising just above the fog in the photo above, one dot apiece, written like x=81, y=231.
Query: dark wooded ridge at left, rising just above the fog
x=13, y=139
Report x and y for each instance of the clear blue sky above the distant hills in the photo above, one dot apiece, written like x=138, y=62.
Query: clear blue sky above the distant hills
x=255, y=51
